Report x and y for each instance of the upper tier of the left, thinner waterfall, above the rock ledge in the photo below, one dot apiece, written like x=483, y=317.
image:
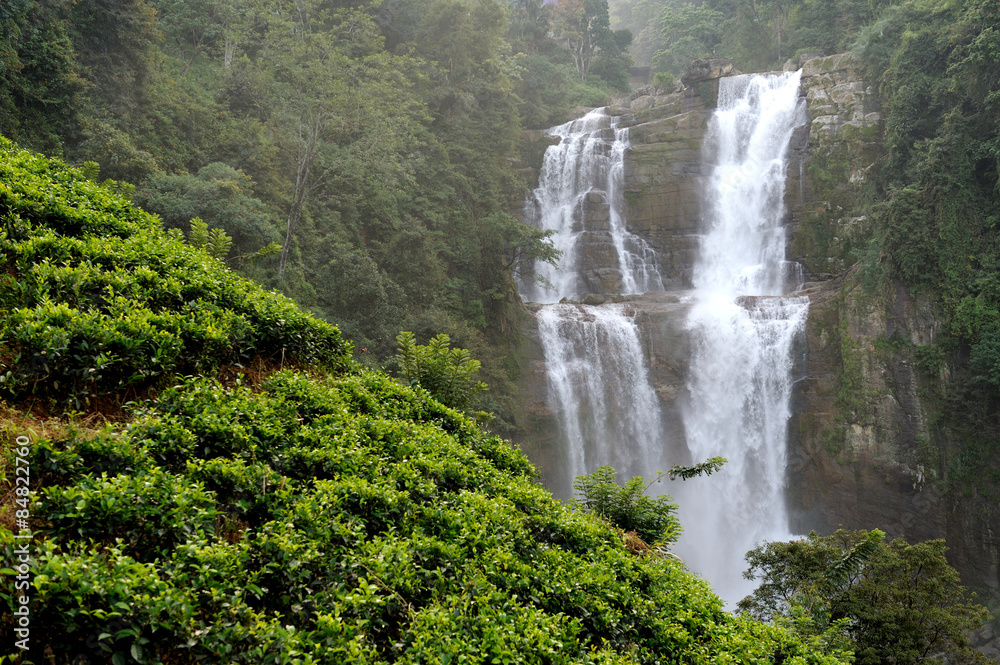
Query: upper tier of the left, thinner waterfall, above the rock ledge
x=580, y=199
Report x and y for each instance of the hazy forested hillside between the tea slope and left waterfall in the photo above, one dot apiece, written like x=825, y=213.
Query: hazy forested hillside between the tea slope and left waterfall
x=378, y=142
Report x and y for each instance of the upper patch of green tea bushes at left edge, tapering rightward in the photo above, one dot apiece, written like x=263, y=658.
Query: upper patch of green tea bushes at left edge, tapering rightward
x=97, y=299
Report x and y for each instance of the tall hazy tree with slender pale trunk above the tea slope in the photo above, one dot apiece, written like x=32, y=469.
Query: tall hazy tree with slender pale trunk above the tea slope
x=339, y=109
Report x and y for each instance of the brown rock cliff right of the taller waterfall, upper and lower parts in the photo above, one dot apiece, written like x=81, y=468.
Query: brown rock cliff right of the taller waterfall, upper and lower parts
x=867, y=445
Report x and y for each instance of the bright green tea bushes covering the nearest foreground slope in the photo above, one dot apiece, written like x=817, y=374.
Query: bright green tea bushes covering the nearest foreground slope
x=345, y=518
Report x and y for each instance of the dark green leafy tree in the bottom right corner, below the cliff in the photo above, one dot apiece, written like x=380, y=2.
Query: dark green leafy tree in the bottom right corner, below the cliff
x=893, y=601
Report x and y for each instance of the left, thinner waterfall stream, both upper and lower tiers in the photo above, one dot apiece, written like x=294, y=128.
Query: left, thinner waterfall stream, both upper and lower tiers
x=598, y=384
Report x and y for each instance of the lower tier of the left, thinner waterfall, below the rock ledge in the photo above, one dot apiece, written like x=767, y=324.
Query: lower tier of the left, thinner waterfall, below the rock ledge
x=599, y=387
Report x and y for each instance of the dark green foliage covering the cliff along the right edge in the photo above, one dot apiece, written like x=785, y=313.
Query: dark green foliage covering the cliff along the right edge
x=936, y=194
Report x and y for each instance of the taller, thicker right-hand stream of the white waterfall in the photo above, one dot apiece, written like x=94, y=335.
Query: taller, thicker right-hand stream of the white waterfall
x=742, y=334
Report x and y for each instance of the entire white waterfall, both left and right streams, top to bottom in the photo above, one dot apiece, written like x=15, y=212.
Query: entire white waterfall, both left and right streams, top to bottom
x=741, y=325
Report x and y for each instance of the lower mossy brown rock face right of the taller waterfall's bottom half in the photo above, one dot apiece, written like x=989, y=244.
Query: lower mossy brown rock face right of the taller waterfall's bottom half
x=855, y=461
